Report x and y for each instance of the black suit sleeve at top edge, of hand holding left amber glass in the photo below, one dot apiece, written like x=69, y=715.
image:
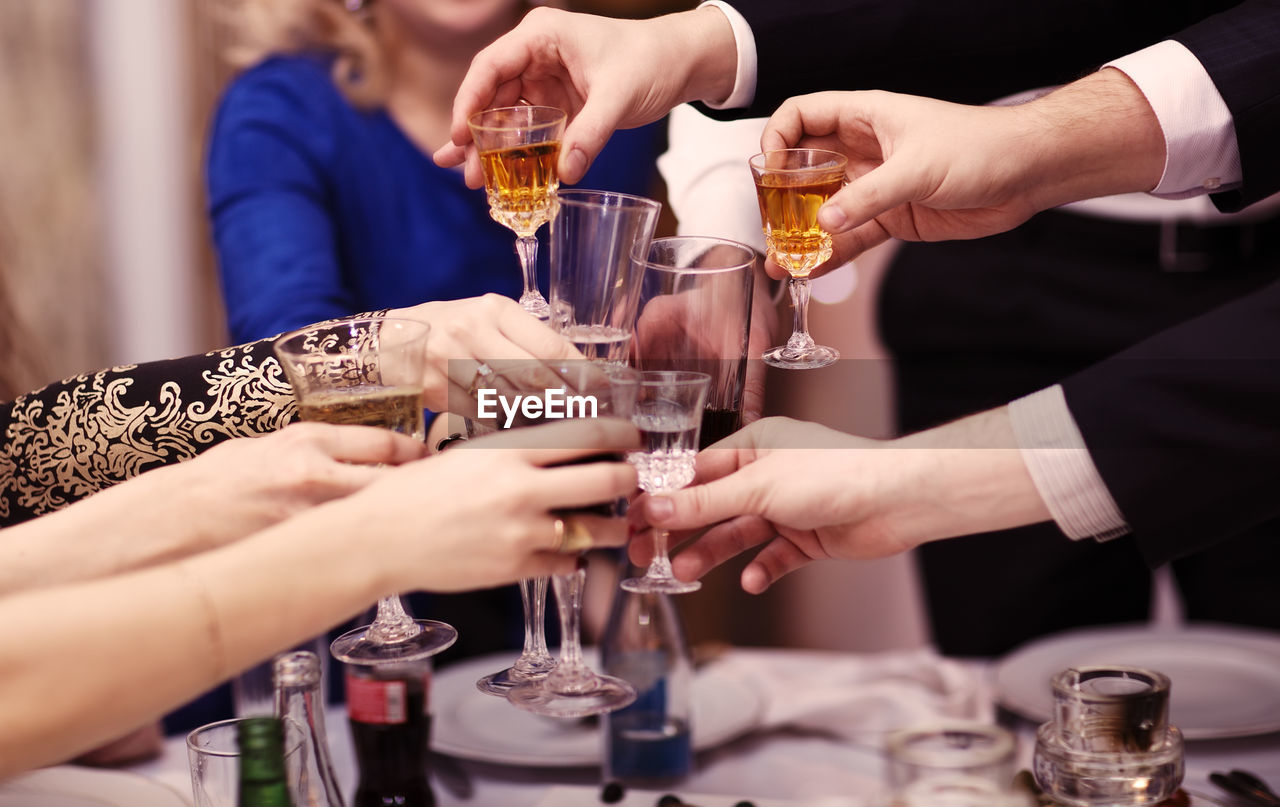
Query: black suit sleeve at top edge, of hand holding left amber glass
x=956, y=52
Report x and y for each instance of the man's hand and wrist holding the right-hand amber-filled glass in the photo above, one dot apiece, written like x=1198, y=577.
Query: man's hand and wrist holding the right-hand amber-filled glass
x=930, y=171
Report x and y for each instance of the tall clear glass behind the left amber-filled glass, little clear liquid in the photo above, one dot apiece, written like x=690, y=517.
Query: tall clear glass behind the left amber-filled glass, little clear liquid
x=596, y=285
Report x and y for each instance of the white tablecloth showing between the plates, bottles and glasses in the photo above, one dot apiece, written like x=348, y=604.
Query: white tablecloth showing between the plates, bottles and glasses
x=789, y=759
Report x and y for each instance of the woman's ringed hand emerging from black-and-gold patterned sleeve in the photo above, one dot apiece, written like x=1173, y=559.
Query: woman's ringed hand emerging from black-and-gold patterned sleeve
x=492, y=331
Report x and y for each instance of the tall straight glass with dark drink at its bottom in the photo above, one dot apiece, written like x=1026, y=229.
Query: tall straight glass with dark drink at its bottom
x=696, y=314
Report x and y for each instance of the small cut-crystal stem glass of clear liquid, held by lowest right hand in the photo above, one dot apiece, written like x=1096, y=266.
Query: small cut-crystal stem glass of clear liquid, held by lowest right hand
x=669, y=413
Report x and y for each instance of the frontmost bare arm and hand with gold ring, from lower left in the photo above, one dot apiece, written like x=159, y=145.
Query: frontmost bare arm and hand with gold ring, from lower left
x=157, y=637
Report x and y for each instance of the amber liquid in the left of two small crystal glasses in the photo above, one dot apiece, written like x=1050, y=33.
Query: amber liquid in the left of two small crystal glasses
x=522, y=185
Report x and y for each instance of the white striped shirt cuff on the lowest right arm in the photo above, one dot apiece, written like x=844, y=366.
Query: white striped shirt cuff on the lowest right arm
x=1062, y=468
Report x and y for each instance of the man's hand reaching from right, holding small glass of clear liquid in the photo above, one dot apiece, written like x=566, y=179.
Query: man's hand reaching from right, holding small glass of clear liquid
x=808, y=493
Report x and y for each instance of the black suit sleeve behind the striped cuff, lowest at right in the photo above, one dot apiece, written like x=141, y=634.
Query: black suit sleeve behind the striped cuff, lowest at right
x=1185, y=427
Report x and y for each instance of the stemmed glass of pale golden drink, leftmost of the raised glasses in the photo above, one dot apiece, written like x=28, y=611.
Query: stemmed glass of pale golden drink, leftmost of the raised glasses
x=368, y=372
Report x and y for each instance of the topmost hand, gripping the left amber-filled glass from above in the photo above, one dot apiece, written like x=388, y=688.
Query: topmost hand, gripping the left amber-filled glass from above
x=606, y=74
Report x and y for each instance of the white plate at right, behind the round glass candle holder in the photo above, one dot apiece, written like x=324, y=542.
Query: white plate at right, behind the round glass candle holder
x=1224, y=682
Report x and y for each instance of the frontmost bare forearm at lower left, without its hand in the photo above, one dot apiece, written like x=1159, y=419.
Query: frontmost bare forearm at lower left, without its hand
x=99, y=659
